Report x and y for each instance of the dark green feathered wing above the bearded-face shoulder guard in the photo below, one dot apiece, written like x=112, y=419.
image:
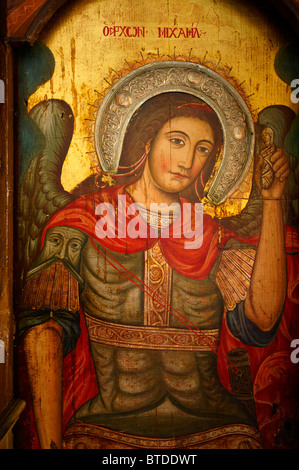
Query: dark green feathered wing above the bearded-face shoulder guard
x=41, y=192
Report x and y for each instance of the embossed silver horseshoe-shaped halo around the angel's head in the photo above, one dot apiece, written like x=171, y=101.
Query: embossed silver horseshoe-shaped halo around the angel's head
x=138, y=86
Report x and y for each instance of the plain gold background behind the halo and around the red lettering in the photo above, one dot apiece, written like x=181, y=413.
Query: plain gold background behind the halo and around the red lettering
x=236, y=40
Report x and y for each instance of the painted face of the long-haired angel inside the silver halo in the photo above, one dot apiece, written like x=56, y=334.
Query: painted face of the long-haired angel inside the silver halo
x=179, y=152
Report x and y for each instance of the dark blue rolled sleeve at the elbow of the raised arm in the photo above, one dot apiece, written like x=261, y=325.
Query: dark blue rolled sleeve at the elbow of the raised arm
x=246, y=330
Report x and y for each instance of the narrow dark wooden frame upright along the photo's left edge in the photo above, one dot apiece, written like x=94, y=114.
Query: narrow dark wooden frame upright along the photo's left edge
x=6, y=229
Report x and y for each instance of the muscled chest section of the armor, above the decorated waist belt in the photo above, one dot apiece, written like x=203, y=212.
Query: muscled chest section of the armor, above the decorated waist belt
x=154, y=295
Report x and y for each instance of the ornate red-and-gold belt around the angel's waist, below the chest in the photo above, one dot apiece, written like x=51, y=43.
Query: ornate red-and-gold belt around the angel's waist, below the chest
x=149, y=337
